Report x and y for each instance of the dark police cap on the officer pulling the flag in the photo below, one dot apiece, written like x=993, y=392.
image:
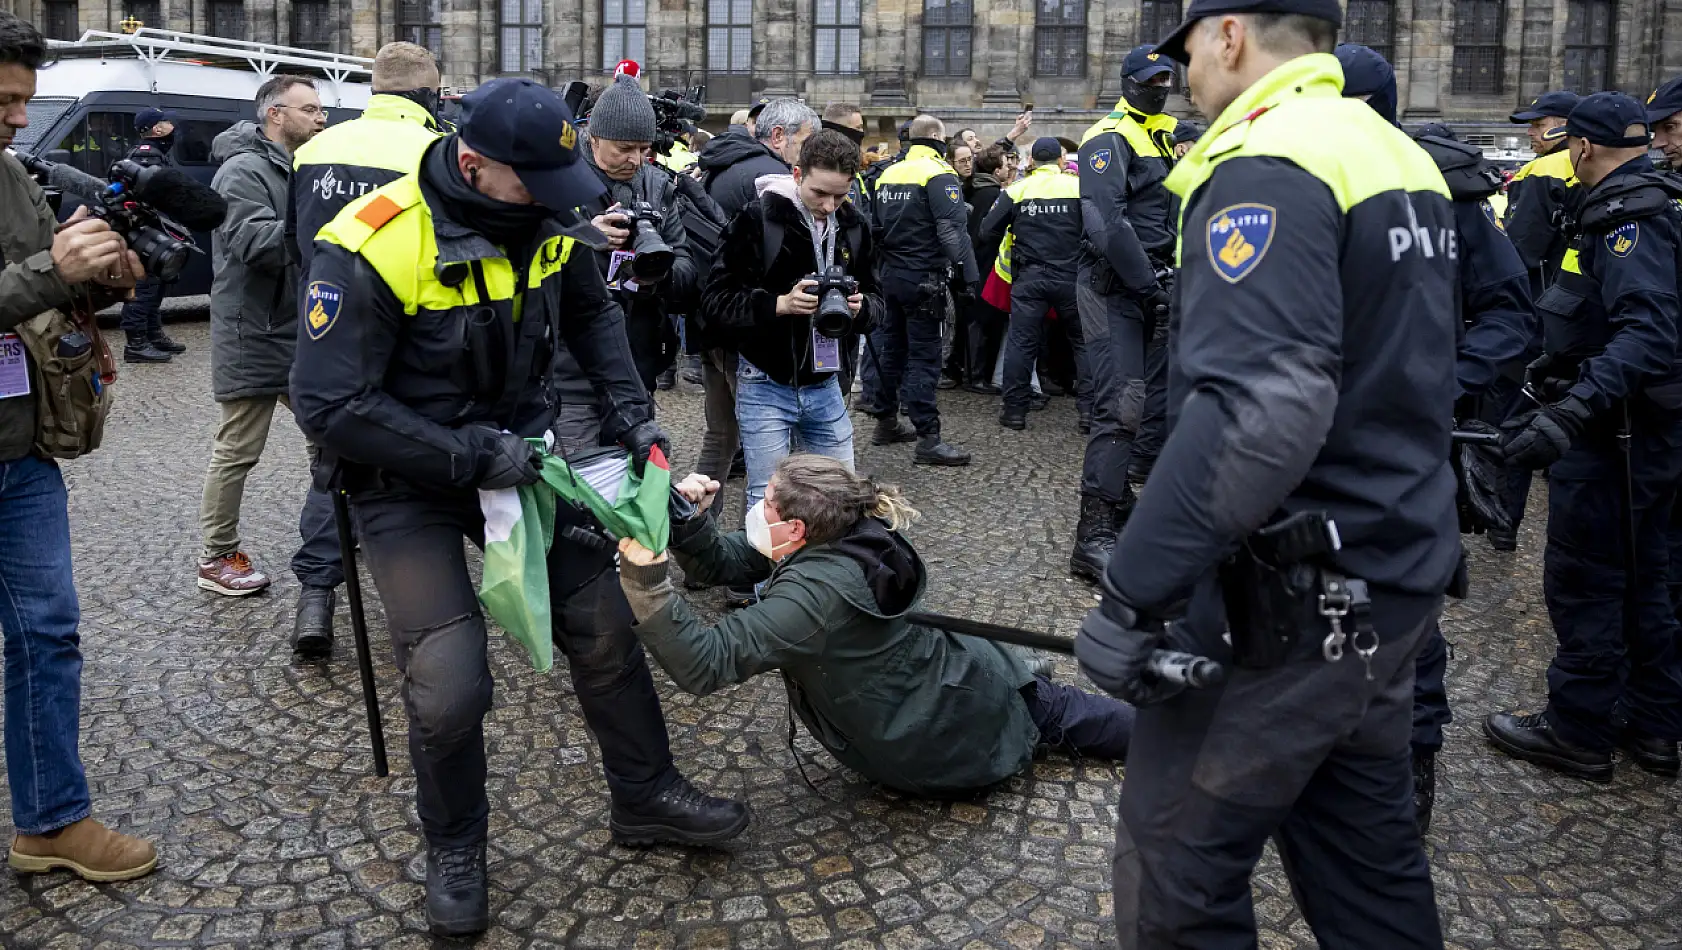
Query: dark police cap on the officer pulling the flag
x=531, y=129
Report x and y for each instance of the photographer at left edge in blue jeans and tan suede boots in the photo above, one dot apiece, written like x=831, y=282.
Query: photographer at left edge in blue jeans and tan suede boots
x=46, y=272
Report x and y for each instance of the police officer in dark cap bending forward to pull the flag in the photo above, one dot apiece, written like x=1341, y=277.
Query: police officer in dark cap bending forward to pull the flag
x=426, y=359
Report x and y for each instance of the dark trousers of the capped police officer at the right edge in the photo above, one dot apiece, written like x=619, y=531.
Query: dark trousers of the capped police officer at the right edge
x=1621, y=648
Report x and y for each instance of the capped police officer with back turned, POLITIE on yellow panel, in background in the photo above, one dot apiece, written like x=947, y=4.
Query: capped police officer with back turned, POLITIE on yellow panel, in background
x=1042, y=214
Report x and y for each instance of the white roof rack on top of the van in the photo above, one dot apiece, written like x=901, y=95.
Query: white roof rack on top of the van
x=156, y=46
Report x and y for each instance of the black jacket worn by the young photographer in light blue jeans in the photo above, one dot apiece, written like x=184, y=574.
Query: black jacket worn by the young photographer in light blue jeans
x=741, y=297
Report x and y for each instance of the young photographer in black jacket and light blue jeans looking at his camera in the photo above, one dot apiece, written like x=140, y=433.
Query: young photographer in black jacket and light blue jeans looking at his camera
x=764, y=300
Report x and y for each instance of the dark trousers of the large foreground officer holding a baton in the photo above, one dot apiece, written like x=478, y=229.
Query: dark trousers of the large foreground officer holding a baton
x=1311, y=754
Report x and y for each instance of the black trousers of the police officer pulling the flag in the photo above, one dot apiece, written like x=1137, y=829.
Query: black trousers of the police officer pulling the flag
x=413, y=539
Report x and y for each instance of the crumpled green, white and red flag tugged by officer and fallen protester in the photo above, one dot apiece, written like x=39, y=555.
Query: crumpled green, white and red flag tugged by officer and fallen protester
x=521, y=529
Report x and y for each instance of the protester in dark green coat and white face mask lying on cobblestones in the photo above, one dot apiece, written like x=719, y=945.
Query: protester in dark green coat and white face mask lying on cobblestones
x=914, y=709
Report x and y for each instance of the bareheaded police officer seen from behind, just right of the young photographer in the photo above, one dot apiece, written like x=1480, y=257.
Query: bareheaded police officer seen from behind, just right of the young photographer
x=924, y=245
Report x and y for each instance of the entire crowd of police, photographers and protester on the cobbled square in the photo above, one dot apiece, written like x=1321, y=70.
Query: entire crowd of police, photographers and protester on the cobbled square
x=1276, y=347
